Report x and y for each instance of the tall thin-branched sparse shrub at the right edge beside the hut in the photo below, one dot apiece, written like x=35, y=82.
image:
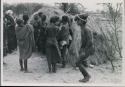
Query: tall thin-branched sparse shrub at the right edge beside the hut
x=113, y=36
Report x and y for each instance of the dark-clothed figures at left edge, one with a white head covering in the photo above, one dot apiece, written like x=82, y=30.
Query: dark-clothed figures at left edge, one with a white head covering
x=10, y=42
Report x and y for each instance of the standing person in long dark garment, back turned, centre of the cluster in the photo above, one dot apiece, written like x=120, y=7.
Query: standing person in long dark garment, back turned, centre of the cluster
x=52, y=51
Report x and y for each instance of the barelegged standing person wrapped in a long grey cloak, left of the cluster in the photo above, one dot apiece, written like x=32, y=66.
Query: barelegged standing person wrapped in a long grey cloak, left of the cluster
x=24, y=34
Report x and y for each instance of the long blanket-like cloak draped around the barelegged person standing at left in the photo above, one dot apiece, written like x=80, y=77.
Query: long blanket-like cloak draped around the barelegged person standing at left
x=26, y=42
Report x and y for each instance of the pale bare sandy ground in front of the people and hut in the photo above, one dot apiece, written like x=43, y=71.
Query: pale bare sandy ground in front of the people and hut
x=11, y=72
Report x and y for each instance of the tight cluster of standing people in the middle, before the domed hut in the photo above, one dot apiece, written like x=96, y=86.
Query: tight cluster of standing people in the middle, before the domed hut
x=52, y=39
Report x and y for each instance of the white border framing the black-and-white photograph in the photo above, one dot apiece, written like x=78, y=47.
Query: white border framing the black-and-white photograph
x=59, y=84
